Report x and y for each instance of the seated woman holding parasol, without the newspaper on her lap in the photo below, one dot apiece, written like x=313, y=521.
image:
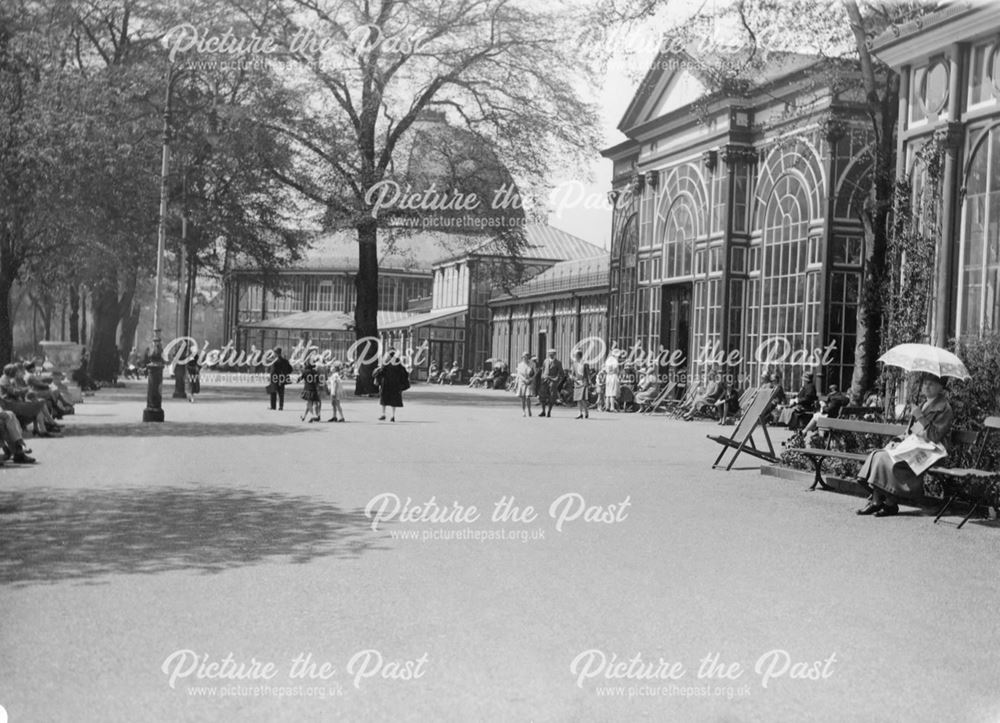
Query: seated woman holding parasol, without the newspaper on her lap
x=889, y=481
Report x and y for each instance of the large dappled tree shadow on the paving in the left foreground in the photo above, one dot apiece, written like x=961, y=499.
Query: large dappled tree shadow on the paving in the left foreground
x=49, y=535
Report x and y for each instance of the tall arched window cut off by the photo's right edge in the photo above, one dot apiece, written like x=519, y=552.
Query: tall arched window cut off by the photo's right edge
x=978, y=301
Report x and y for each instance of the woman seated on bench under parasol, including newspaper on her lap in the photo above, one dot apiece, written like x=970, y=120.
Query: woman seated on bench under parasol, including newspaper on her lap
x=897, y=471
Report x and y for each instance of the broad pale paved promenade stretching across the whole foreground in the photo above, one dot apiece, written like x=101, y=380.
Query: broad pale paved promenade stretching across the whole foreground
x=223, y=566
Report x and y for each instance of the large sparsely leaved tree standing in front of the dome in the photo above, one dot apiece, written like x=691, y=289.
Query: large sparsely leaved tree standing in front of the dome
x=499, y=69
